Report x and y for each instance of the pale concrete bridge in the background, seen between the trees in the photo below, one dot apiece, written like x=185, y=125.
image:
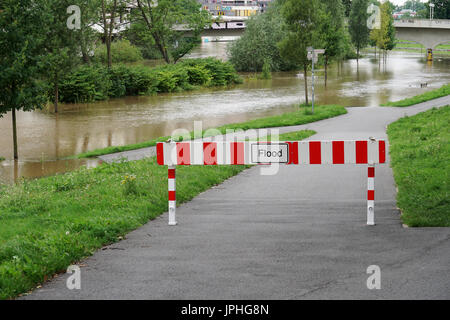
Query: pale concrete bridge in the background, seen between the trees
x=429, y=33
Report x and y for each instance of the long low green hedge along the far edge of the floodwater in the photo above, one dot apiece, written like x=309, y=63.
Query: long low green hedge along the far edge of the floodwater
x=91, y=83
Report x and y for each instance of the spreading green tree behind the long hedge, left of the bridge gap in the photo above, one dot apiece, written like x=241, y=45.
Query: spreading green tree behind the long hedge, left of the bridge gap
x=161, y=19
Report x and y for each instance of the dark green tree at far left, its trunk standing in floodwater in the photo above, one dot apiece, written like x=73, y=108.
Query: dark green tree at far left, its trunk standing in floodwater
x=21, y=39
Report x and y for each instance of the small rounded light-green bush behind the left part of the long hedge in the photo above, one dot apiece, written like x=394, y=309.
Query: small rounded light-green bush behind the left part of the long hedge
x=122, y=51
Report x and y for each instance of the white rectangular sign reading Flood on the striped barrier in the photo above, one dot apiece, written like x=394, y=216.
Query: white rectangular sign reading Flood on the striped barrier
x=267, y=152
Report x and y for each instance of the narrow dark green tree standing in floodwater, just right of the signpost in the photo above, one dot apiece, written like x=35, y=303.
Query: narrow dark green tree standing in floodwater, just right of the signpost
x=333, y=32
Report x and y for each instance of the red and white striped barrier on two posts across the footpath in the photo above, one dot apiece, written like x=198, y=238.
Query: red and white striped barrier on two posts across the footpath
x=369, y=152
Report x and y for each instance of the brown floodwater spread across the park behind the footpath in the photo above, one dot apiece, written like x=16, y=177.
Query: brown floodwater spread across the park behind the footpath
x=45, y=138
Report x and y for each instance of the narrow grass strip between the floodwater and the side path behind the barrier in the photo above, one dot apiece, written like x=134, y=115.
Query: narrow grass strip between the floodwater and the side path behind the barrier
x=302, y=116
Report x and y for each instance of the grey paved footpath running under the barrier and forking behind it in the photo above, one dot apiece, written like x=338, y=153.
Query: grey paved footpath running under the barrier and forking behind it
x=300, y=234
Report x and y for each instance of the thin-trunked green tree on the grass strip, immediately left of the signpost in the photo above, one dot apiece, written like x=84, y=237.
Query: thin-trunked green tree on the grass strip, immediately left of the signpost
x=303, y=21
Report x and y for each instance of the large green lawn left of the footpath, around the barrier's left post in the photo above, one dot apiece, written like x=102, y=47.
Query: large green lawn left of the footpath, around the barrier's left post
x=49, y=223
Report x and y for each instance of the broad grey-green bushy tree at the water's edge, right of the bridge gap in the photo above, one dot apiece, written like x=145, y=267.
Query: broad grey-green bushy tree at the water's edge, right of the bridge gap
x=258, y=44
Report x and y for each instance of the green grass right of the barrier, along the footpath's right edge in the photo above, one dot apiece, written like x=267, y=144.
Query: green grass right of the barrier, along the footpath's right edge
x=420, y=153
